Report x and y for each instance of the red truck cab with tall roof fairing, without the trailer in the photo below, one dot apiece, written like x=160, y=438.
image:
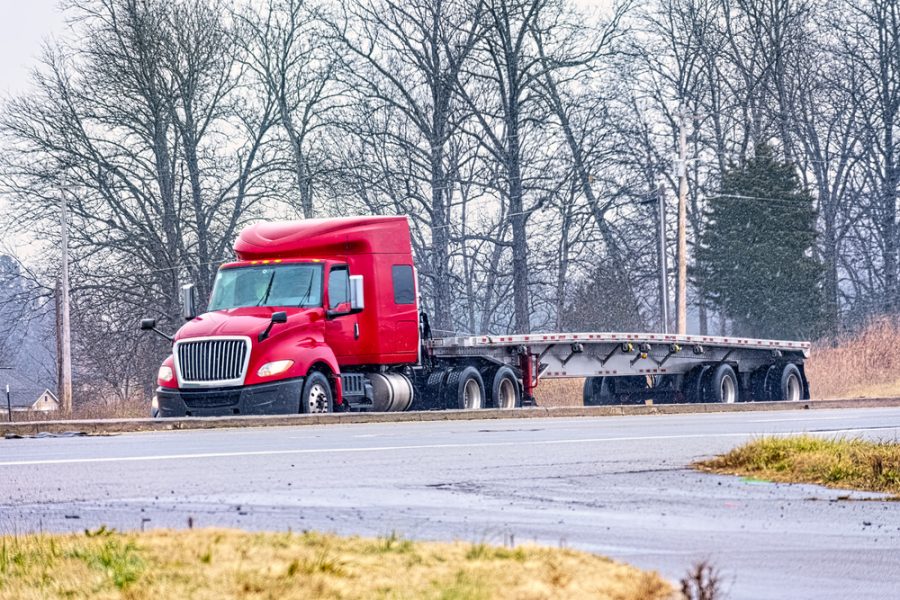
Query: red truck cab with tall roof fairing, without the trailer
x=313, y=316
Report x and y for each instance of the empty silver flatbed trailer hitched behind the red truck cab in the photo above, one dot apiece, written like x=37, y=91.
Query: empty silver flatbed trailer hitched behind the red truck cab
x=629, y=367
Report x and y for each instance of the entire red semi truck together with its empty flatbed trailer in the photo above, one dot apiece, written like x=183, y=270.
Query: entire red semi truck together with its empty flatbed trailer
x=323, y=315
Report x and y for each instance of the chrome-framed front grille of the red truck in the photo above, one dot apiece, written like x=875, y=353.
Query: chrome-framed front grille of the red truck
x=213, y=360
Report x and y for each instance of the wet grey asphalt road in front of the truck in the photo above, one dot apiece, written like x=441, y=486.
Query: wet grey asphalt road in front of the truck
x=615, y=485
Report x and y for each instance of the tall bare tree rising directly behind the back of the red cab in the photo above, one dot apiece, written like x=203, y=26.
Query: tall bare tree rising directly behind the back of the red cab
x=405, y=60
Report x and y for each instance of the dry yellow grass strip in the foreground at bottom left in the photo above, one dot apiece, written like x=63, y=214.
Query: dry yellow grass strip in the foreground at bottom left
x=232, y=564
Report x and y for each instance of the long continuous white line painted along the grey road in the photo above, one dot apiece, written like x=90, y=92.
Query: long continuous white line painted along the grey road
x=113, y=459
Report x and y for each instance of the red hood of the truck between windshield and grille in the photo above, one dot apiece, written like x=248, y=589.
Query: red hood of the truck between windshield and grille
x=248, y=320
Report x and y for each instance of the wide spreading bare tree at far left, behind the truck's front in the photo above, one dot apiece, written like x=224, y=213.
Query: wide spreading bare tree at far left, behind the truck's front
x=140, y=129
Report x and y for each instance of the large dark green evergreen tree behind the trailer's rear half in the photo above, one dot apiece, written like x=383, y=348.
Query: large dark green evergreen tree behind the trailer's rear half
x=756, y=258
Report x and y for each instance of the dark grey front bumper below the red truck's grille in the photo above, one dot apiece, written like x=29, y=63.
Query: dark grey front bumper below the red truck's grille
x=276, y=398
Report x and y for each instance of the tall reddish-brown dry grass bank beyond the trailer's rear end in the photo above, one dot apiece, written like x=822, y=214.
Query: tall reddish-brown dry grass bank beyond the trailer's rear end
x=865, y=365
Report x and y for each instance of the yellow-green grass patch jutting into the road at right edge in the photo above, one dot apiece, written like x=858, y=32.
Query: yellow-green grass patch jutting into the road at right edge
x=840, y=462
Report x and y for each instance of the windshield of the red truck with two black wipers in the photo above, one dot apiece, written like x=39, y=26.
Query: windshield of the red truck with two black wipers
x=269, y=285
